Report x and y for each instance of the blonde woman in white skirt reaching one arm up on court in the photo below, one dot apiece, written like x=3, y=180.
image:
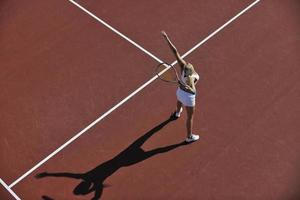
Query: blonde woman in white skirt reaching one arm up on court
x=186, y=92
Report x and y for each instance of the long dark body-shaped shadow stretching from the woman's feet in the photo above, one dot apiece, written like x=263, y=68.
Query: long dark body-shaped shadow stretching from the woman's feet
x=93, y=180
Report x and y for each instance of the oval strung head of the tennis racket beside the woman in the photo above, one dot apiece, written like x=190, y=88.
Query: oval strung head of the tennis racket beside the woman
x=167, y=73
